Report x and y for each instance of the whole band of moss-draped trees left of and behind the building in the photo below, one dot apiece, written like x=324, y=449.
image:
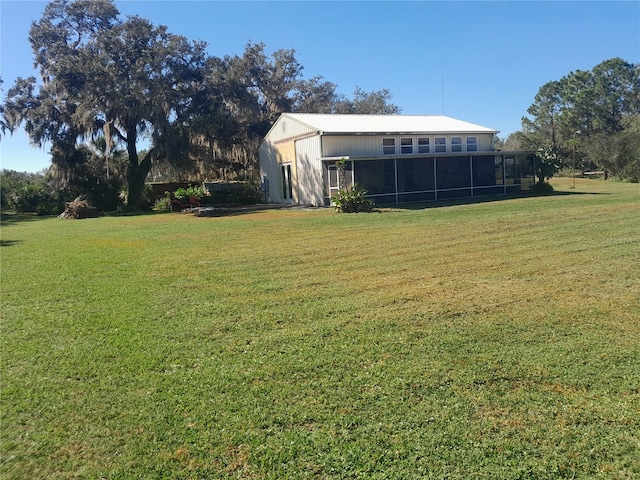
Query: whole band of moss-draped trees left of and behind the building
x=121, y=101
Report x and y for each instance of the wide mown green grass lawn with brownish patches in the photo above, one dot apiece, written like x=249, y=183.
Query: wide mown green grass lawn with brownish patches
x=492, y=340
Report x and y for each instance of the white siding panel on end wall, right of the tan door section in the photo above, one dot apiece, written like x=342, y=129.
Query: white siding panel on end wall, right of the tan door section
x=309, y=169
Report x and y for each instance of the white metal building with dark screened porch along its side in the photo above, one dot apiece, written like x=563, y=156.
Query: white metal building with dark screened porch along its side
x=396, y=158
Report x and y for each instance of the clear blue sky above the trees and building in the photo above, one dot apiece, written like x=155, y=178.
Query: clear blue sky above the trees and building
x=482, y=62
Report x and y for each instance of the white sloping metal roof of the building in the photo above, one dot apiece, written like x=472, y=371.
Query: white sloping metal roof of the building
x=386, y=124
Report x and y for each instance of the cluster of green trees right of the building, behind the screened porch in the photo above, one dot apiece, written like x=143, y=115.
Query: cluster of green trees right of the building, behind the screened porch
x=591, y=116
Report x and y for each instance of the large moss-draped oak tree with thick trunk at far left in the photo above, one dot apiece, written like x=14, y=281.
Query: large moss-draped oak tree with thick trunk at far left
x=127, y=81
